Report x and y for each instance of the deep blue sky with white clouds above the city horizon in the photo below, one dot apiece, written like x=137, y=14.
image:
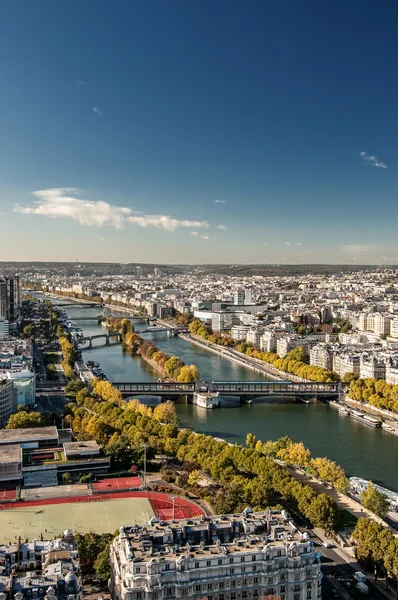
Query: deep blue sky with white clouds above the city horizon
x=199, y=132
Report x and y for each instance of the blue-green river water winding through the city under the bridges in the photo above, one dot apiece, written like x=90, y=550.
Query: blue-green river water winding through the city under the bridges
x=362, y=451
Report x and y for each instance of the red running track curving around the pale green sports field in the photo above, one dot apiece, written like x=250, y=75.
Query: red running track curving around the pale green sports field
x=162, y=504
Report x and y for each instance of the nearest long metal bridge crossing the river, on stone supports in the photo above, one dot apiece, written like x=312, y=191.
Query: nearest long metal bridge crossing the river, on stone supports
x=241, y=389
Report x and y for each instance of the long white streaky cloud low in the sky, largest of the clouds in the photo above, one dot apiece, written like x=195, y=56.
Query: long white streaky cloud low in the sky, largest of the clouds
x=62, y=203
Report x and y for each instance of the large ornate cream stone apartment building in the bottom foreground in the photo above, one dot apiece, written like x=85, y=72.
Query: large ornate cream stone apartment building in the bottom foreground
x=227, y=557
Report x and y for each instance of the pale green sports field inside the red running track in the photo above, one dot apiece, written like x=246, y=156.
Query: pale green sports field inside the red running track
x=52, y=519
